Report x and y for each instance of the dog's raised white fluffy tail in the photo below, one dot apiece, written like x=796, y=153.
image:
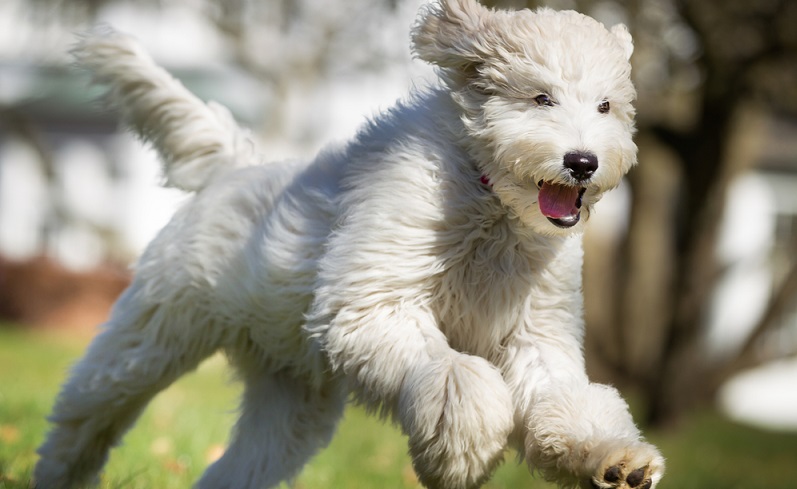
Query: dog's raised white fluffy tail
x=196, y=141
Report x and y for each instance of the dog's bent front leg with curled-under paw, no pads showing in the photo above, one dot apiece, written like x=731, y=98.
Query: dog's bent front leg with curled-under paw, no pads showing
x=455, y=408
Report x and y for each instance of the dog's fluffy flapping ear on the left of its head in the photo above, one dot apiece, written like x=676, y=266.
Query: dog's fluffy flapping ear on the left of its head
x=452, y=33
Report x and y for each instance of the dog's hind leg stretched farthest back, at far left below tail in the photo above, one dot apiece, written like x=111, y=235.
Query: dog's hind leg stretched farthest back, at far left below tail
x=134, y=358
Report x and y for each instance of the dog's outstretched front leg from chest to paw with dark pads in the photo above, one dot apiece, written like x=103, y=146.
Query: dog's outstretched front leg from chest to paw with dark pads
x=575, y=432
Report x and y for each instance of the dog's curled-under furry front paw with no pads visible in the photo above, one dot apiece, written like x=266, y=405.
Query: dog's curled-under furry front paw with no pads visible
x=457, y=413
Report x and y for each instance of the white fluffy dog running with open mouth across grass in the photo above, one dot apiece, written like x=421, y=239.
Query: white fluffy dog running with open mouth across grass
x=431, y=266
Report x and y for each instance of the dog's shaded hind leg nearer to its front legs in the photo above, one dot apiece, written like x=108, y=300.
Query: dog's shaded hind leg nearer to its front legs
x=284, y=421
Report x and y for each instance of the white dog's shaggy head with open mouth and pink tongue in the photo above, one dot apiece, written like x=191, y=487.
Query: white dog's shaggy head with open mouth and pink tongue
x=546, y=98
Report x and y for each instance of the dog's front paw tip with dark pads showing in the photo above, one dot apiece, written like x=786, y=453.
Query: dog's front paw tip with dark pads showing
x=636, y=466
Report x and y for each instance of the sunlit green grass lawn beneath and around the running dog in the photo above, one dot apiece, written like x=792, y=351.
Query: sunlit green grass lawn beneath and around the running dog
x=186, y=427
